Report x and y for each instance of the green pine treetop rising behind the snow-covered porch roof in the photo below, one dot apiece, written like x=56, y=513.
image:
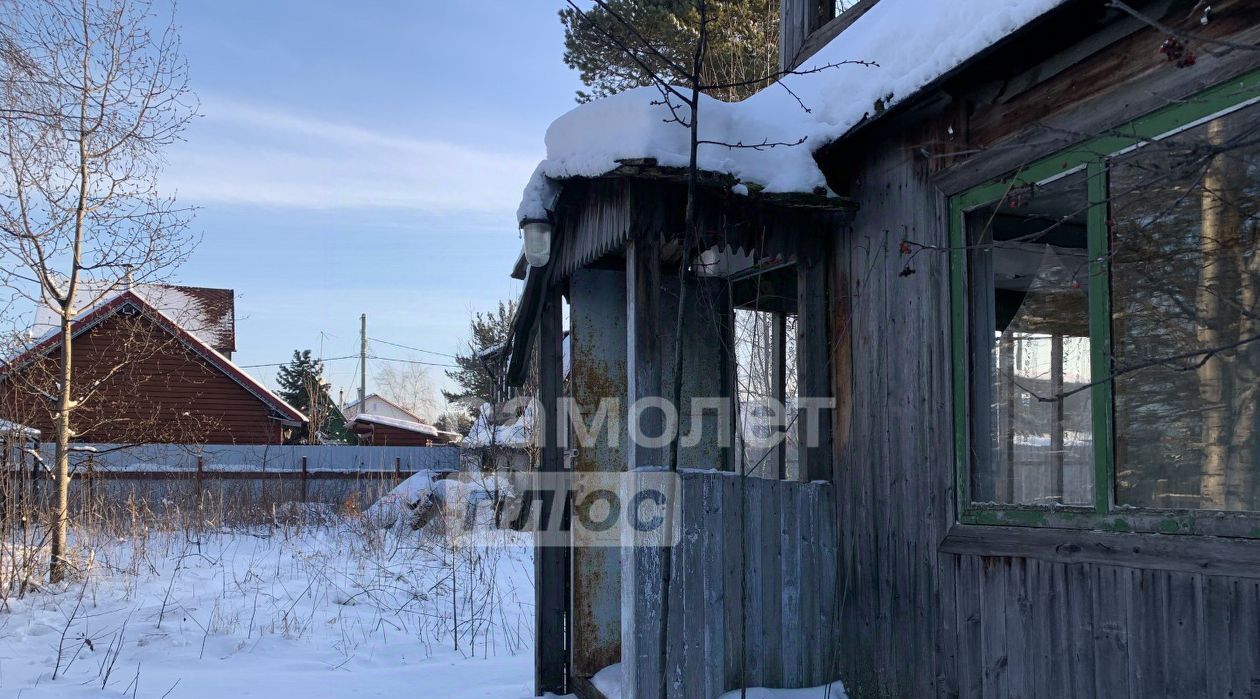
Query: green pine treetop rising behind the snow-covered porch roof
x=744, y=45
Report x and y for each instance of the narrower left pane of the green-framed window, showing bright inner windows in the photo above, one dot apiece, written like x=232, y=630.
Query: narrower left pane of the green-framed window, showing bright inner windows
x=1033, y=420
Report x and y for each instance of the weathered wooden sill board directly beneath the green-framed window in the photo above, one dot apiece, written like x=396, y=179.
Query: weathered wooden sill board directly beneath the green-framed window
x=1210, y=556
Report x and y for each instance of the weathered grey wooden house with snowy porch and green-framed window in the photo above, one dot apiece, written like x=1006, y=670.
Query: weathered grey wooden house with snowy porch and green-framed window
x=1030, y=289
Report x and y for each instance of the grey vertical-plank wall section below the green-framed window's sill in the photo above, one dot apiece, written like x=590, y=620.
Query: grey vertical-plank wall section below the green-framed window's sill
x=1029, y=628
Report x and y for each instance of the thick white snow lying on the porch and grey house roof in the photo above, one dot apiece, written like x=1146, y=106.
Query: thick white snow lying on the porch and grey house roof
x=913, y=43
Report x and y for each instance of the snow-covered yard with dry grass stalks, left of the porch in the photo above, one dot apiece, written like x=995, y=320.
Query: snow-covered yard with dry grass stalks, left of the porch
x=340, y=610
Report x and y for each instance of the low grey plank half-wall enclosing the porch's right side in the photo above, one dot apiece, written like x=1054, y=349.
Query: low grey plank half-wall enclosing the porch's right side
x=753, y=590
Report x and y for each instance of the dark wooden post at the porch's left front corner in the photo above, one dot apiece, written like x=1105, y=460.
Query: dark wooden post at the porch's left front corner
x=551, y=562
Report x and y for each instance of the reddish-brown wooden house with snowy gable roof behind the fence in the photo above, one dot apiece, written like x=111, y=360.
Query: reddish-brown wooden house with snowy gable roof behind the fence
x=153, y=366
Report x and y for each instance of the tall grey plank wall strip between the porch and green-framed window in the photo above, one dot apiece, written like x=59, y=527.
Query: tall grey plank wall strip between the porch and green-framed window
x=893, y=454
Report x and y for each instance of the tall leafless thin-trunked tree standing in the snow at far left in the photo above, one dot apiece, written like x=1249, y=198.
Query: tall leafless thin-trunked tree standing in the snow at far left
x=91, y=93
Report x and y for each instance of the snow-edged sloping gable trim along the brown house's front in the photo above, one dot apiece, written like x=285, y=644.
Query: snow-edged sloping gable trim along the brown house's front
x=125, y=299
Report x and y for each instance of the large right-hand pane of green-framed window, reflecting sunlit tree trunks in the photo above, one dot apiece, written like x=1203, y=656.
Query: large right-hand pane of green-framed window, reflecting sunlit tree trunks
x=1186, y=283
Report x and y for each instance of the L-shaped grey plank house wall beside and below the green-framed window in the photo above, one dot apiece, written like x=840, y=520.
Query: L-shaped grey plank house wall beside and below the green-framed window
x=983, y=622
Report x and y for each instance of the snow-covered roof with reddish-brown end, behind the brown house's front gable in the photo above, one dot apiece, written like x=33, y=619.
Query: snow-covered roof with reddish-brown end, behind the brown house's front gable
x=209, y=314
